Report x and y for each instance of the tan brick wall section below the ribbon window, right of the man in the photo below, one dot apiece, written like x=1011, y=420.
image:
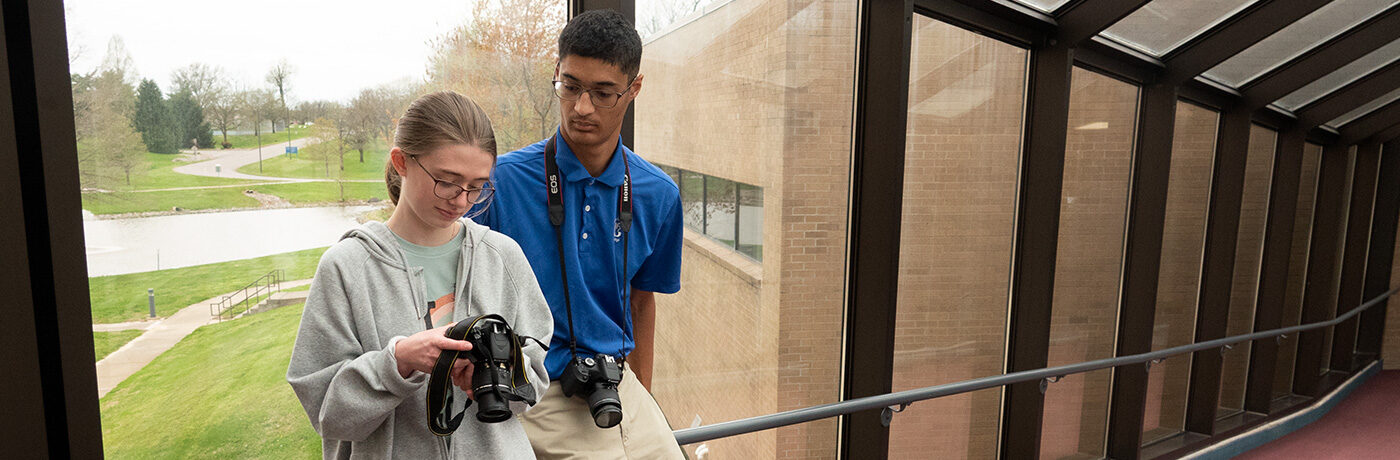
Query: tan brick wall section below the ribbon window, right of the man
x=716, y=357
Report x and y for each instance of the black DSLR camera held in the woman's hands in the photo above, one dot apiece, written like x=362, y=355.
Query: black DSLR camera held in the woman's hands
x=500, y=375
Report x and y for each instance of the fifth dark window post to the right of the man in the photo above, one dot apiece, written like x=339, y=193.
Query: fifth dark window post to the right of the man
x=1275, y=262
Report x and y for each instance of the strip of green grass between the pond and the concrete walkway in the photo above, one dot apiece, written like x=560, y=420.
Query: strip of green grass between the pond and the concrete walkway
x=122, y=299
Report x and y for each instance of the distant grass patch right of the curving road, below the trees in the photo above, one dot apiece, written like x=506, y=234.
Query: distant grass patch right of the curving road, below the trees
x=306, y=164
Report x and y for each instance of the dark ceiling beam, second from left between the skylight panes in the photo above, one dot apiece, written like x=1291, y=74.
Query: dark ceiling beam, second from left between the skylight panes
x=1234, y=36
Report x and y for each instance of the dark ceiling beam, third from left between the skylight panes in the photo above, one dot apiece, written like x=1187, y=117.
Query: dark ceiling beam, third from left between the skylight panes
x=1321, y=61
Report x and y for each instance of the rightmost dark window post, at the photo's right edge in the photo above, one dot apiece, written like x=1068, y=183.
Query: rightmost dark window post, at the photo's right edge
x=1382, y=250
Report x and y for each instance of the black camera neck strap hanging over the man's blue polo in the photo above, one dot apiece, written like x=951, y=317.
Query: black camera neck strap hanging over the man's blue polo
x=555, y=185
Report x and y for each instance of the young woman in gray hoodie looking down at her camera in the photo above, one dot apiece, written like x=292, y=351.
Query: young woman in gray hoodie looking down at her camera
x=365, y=350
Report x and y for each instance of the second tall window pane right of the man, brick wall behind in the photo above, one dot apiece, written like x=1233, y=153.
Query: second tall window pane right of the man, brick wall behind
x=961, y=167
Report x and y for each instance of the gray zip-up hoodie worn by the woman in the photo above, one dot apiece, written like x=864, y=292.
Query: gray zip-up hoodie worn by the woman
x=363, y=301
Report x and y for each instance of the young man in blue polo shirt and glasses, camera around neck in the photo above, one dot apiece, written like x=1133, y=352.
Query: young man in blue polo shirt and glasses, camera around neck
x=603, y=230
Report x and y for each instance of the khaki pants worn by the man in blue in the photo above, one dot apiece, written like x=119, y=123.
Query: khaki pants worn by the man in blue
x=562, y=427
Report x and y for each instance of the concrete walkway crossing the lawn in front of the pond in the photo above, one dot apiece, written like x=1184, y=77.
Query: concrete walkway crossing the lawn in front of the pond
x=159, y=338
